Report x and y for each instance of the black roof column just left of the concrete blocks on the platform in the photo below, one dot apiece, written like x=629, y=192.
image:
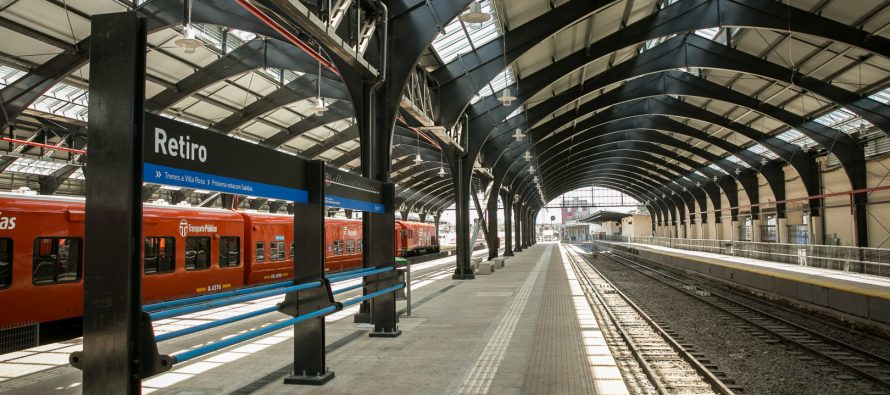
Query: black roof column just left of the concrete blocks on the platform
x=463, y=172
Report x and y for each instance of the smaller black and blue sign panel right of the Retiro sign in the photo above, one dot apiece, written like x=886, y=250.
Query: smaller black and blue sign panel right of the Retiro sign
x=349, y=191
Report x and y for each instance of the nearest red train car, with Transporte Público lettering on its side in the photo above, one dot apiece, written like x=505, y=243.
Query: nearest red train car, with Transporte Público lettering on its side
x=186, y=251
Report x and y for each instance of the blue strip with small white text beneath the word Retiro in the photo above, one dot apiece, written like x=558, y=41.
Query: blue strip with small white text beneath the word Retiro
x=158, y=174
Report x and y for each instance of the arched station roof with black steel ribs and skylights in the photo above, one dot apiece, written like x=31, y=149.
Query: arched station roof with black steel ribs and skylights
x=669, y=101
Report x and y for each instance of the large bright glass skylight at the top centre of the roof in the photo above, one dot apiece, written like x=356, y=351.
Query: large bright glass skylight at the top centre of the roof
x=460, y=38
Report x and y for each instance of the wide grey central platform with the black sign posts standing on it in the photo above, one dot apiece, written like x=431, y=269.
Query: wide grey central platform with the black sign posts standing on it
x=523, y=329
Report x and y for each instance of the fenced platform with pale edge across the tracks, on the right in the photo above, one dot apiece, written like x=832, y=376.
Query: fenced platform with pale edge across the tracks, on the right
x=856, y=297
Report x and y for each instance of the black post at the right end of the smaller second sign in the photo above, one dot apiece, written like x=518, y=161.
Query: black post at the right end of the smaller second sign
x=383, y=308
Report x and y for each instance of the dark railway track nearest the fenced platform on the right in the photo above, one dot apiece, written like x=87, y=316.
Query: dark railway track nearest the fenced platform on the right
x=857, y=362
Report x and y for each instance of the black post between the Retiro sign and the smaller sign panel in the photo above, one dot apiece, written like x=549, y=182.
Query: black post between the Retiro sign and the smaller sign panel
x=309, y=248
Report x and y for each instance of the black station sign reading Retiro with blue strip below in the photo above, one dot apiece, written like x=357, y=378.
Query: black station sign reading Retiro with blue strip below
x=178, y=154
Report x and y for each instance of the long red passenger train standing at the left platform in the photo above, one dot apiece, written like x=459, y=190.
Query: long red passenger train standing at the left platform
x=187, y=251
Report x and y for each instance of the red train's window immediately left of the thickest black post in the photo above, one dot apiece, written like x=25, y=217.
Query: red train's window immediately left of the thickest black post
x=56, y=260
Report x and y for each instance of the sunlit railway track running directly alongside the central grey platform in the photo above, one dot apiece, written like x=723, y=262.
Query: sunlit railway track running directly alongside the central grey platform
x=668, y=366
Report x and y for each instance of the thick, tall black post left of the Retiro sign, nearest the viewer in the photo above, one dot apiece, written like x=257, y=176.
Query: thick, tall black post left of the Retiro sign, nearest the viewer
x=113, y=236
